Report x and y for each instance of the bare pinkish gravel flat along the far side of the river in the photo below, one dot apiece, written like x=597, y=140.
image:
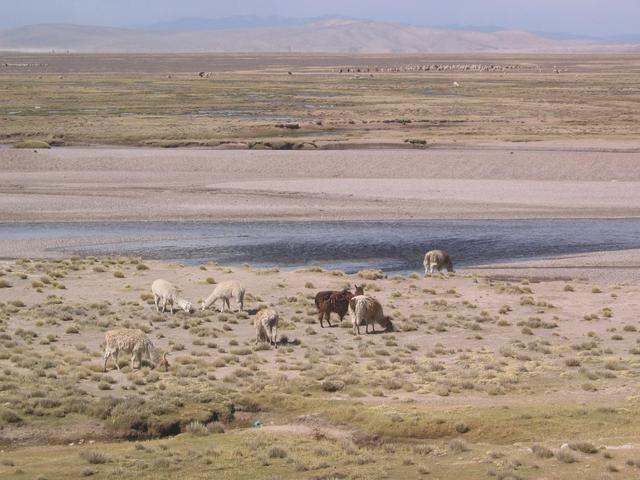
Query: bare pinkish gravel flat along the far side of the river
x=491, y=180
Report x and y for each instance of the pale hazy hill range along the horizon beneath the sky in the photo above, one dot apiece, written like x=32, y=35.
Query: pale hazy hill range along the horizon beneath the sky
x=336, y=35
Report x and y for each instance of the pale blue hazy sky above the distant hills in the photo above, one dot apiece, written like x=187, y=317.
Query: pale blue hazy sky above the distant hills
x=595, y=17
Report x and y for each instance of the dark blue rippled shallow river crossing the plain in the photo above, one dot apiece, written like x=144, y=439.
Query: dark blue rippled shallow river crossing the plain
x=394, y=246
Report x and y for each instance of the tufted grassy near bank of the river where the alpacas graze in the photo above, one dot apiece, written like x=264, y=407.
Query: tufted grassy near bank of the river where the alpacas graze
x=480, y=379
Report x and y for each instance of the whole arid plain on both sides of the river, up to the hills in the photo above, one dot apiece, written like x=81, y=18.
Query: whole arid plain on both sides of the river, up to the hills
x=514, y=371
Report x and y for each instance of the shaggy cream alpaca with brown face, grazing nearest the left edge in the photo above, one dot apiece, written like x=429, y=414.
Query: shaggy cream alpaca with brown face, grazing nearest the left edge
x=134, y=342
